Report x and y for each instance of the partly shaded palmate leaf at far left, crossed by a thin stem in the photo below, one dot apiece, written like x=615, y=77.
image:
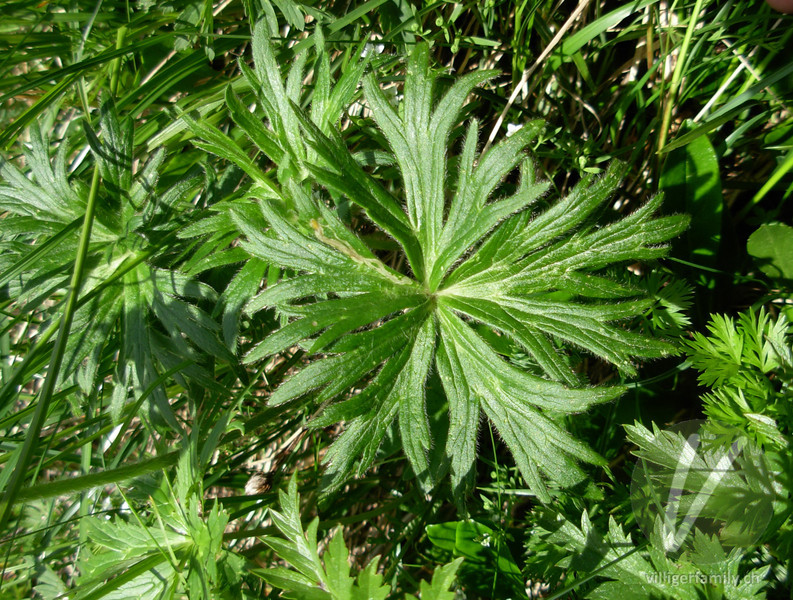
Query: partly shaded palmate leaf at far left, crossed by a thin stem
x=135, y=295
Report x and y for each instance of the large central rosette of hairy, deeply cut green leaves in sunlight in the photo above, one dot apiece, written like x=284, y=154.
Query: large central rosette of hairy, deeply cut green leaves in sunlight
x=479, y=267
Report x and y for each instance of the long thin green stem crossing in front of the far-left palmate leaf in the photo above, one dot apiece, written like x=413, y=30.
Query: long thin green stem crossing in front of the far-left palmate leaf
x=42, y=407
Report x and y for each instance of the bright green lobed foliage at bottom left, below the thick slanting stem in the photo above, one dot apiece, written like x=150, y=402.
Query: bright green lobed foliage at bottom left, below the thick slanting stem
x=176, y=552
